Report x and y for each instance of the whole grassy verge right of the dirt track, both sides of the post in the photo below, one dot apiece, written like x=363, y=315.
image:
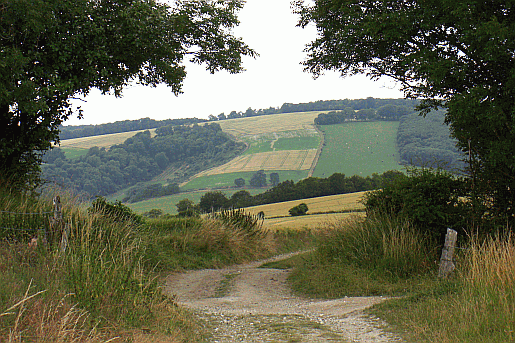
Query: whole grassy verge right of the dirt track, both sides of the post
x=378, y=256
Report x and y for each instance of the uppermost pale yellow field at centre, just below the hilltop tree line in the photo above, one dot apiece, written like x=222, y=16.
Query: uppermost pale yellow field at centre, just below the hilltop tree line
x=269, y=124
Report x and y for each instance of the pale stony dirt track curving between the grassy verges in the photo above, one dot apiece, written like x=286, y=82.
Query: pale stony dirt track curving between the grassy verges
x=245, y=303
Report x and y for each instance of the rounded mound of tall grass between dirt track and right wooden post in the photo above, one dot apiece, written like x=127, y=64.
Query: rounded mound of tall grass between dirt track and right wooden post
x=365, y=256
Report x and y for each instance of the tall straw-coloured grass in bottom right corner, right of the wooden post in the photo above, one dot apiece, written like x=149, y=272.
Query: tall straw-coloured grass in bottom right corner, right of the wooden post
x=477, y=305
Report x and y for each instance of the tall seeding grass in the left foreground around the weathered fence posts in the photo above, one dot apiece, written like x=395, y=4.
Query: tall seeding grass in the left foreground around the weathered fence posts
x=87, y=293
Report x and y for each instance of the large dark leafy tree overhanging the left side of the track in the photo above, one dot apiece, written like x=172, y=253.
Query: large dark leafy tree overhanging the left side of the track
x=53, y=50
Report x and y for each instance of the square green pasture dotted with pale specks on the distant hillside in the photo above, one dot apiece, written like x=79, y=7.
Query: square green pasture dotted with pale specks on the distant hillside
x=359, y=148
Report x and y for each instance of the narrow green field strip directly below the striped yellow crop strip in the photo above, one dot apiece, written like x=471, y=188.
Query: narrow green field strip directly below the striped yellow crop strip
x=227, y=180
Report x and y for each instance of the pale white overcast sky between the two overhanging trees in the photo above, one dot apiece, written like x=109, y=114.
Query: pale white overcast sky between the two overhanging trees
x=273, y=78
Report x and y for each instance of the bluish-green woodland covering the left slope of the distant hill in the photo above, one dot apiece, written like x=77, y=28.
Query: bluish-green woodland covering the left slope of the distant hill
x=186, y=149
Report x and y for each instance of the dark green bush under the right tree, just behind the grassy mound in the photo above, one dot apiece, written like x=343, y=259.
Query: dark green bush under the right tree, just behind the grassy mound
x=430, y=199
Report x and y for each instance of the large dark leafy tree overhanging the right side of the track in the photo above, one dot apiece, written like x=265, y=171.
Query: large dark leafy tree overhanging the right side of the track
x=457, y=55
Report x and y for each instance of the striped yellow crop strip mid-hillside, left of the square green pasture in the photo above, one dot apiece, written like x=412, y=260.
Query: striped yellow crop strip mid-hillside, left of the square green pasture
x=273, y=160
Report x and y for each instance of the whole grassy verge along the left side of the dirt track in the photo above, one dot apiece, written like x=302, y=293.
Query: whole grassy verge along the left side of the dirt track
x=108, y=285
